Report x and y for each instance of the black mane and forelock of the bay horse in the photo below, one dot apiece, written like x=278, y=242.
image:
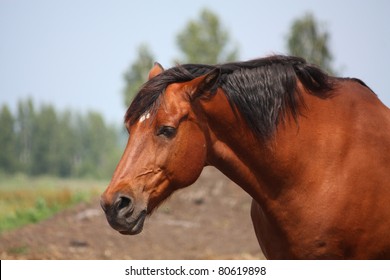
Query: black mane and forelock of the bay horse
x=262, y=90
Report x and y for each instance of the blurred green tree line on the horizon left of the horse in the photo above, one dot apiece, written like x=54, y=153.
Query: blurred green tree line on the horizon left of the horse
x=40, y=140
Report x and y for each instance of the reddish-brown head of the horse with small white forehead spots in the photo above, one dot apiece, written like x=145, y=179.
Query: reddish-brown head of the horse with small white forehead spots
x=166, y=150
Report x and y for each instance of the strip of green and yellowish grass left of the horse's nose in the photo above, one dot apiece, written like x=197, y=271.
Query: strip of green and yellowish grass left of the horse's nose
x=25, y=200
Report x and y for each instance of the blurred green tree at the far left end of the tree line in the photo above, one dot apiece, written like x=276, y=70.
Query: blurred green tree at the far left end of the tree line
x=7, y=141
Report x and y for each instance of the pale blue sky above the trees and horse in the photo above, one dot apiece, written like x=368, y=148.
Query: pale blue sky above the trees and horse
x=73, y=54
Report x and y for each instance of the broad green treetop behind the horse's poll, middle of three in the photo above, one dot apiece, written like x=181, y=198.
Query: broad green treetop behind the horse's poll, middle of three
x=205, y=40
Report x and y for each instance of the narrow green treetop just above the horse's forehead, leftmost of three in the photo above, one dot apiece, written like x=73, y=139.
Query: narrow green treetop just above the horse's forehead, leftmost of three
x=137, y=73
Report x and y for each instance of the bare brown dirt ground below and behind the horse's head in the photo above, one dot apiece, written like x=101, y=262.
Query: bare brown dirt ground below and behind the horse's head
x=209, y=220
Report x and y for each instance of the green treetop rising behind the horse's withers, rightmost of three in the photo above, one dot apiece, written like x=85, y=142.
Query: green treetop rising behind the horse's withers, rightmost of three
x=309, y=39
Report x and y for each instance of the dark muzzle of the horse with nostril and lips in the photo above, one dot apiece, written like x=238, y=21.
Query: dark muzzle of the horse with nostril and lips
x=124, y=215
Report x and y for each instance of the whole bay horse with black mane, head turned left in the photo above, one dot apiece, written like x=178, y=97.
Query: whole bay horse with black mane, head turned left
x=312, y=150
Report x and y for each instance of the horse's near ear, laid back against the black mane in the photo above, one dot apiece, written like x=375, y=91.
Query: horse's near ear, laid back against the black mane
x=206, y=84
